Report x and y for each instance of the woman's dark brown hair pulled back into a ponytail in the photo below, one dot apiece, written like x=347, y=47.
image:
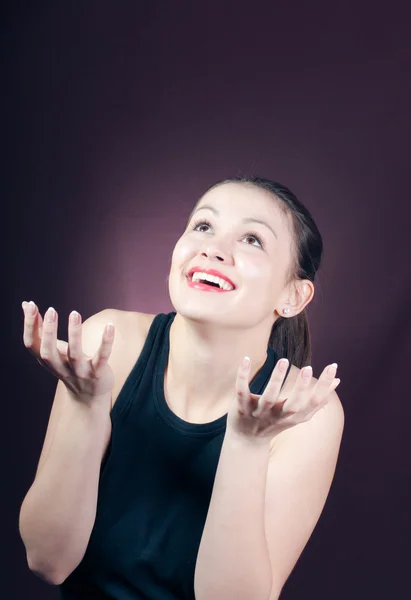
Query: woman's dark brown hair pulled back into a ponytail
x=290, y=337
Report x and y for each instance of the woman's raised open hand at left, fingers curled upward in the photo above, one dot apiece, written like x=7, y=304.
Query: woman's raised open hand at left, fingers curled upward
x=85, y=377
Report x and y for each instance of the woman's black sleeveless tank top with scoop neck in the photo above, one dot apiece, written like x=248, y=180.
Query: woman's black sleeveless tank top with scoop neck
x=155, y=486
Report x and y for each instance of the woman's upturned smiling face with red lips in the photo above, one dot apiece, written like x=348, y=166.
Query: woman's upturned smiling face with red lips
x=254, y=256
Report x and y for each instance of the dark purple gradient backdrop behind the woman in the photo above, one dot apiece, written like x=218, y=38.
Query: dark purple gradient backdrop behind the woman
x=117, y=117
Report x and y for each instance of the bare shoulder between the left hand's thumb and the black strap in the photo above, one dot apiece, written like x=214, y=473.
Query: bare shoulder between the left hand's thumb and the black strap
x=131, y=329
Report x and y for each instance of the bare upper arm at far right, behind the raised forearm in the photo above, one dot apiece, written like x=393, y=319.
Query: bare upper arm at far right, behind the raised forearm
x=299, y=476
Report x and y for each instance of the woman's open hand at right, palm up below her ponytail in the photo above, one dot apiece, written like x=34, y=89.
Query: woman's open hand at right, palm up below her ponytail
x=261, y=417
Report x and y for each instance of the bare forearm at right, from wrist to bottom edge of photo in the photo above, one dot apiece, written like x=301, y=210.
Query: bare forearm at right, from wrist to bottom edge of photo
x=233, y=558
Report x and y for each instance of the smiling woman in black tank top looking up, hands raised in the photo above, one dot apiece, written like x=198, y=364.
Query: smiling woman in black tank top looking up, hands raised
x=173, y=467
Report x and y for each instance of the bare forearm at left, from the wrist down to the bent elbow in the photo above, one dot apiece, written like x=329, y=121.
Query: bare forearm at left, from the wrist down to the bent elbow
x=59, y=510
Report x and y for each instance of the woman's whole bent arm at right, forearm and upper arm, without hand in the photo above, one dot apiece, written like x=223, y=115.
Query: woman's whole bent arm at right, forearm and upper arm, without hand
x=264, y=507
